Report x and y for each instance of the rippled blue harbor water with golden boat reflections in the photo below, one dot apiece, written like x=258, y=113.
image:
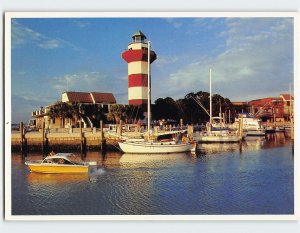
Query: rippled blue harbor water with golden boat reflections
x=254, y=177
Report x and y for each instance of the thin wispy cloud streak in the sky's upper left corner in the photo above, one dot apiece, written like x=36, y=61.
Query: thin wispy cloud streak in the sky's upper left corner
x=22, y=35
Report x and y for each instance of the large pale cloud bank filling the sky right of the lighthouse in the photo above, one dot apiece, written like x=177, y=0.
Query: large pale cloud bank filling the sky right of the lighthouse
x=257, y=60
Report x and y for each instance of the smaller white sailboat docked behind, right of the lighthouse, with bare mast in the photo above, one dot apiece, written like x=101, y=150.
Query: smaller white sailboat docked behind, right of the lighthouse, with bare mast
x=212, y=134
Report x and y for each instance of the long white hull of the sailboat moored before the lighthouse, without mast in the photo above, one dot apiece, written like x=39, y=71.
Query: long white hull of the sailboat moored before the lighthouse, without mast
x=154, y=148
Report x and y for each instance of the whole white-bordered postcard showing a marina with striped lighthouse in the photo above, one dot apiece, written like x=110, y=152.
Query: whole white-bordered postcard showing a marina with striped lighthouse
x=136, y=128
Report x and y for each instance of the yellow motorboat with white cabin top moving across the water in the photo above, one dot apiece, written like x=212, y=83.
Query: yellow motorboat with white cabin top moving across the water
x=59, y=163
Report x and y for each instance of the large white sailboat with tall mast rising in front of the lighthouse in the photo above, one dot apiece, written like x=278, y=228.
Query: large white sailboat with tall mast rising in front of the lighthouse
x=153, y=147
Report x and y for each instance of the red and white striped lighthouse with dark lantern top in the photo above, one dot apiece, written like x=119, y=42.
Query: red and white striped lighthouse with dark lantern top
x=137, y=58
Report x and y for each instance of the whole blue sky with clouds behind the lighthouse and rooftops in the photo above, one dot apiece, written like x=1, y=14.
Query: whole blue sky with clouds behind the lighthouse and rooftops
x=250, y=58
